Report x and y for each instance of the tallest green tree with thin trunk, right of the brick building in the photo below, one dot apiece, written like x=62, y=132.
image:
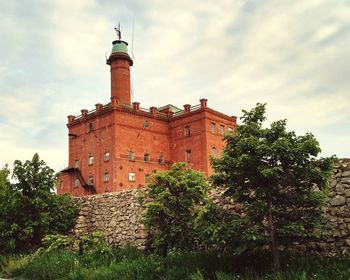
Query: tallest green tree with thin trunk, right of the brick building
x=277, y=178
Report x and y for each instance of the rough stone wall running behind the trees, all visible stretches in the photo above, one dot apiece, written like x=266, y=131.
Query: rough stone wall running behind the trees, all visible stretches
x=118, y=215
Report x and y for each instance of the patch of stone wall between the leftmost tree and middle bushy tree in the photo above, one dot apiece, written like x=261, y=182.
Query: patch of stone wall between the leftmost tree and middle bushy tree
x=116, y=214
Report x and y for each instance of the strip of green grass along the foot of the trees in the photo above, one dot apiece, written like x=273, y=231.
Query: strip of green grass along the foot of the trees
x=129, y=263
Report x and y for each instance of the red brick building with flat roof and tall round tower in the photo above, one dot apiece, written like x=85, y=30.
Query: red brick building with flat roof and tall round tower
x=118, y=145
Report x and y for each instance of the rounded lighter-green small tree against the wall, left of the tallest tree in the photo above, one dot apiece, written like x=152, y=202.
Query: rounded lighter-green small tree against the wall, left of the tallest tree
x=173, y=196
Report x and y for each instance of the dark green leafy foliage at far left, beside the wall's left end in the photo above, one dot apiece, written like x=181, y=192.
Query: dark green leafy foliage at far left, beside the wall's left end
x=29, y=209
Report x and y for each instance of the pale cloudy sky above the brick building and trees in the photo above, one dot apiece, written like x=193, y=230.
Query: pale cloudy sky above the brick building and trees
x=292, y=55
